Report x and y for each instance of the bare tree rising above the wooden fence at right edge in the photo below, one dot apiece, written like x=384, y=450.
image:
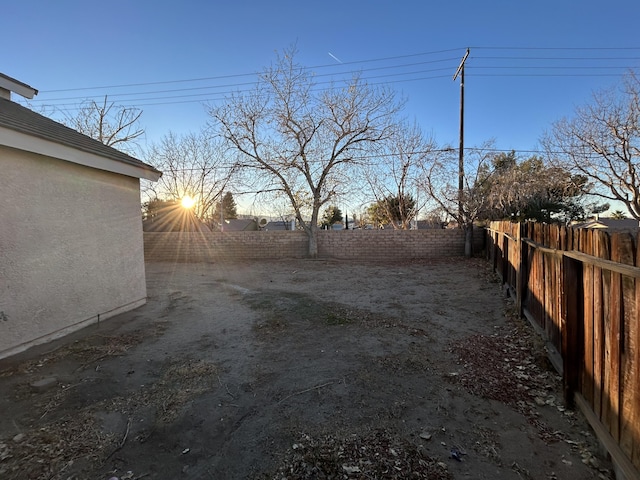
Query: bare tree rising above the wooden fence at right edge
x=602, y=142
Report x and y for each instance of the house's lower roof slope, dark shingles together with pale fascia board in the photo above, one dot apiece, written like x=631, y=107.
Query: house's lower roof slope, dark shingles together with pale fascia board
x=27, y=123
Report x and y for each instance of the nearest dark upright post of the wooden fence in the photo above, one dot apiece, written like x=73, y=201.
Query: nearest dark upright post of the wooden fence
x=572, y=328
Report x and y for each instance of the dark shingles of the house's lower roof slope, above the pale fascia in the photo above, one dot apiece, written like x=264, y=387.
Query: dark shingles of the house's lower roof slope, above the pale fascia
x=16, y=117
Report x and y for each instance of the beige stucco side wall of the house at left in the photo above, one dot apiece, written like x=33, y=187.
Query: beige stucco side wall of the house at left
x=70, y=248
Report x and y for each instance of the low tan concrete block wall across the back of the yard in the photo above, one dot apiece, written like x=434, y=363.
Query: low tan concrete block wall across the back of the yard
x=184, y=247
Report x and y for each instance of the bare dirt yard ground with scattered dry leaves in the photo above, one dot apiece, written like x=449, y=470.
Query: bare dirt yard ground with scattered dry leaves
x=298, y=369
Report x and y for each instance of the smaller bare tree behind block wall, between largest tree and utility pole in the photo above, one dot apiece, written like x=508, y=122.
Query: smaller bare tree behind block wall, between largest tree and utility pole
x=395, y=175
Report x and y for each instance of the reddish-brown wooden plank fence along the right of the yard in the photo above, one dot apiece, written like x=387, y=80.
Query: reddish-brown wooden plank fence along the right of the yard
x=581, y=289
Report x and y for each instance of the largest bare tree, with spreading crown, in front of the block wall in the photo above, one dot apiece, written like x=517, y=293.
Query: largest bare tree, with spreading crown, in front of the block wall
x=292, y=137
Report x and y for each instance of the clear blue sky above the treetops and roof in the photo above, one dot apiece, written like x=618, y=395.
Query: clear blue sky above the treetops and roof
x=73, y=45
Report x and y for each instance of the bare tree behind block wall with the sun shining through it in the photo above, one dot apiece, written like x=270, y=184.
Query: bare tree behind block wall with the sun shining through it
x=194, y=166
